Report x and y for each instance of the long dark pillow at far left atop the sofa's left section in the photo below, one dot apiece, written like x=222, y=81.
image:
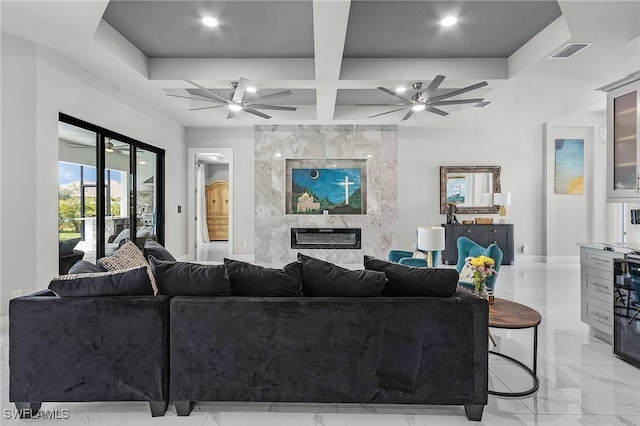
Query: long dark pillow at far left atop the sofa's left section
x=124, y=282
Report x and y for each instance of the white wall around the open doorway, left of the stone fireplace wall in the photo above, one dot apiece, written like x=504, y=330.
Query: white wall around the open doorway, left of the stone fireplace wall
x=241, y=140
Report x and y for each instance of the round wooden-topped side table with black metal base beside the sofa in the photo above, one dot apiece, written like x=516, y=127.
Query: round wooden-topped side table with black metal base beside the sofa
x=511, y=315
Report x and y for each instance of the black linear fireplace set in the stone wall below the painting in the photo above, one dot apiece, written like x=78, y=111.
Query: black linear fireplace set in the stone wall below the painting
x=326, y=238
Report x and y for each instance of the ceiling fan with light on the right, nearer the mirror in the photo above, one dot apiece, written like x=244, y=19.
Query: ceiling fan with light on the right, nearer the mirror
x=424, y=99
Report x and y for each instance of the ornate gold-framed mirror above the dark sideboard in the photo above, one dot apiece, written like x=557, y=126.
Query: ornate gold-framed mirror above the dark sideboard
x=471, y=187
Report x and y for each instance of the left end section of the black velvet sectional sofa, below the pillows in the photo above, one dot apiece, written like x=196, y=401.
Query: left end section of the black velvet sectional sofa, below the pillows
x=88, y=349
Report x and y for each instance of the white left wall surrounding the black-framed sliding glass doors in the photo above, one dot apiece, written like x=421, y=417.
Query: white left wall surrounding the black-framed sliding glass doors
x=38, y=85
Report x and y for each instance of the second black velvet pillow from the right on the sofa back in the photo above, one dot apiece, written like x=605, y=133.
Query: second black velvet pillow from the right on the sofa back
x=320, y=278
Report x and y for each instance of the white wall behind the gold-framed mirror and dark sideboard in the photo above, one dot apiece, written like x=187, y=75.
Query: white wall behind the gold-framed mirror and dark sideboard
x=519, y=152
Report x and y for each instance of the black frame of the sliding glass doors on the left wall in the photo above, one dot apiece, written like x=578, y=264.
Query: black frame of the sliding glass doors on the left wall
x=102, y=135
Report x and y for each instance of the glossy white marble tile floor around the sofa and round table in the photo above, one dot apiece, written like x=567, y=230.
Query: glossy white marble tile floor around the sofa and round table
x=581, y=381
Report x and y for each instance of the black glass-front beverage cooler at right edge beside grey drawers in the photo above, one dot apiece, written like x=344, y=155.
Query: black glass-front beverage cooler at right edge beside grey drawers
x=626, y=307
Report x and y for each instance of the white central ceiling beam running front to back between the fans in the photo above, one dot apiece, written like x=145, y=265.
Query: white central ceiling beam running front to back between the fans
x=330, y=18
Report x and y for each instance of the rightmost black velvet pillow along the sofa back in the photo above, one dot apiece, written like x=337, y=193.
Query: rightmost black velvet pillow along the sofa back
x=405, y=280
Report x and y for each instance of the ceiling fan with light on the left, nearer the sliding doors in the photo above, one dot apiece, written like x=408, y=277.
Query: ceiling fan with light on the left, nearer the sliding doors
x=237, y=101
